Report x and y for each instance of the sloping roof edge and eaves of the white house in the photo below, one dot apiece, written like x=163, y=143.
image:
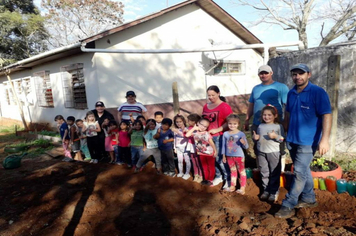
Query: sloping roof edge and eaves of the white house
x=208, y=6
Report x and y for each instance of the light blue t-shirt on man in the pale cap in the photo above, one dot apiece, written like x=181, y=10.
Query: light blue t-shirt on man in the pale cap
x=274, y=94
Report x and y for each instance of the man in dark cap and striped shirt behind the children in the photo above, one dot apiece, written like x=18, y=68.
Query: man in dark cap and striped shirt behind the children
x=131, y=108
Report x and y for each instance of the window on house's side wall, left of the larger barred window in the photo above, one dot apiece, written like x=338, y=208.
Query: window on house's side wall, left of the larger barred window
x=43, y=89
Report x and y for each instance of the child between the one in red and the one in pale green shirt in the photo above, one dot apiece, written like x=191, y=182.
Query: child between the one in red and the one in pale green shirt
x=136, y=132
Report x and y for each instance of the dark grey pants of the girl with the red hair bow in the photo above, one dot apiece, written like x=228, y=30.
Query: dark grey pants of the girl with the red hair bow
x=269, y=165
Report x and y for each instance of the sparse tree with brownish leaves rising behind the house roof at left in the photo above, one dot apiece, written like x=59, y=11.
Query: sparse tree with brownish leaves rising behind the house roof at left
x=71, y=20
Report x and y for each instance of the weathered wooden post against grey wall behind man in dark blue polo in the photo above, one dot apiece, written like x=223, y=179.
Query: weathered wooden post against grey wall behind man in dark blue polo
x=333, y=83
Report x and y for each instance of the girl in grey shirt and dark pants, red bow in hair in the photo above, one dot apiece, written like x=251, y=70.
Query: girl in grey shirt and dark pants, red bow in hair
x=269, y=136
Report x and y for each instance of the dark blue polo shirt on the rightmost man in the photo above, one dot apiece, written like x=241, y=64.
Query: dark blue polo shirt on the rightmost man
x=306, y=114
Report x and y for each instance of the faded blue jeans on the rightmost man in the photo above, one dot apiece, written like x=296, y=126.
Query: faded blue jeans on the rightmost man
x=302, y=187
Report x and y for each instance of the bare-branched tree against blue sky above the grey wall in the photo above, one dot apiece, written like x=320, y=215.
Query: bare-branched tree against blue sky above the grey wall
x=339, y=15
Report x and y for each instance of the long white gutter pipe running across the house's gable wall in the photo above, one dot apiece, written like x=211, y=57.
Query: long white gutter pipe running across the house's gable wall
x=266, y=47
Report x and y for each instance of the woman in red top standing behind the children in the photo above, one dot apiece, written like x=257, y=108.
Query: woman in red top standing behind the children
x=216, y=111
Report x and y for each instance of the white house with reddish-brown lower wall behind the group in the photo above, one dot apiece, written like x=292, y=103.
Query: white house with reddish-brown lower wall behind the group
x=69, y=80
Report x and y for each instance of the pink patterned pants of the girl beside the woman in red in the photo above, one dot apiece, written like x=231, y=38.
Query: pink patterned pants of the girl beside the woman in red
x=237, y=164
